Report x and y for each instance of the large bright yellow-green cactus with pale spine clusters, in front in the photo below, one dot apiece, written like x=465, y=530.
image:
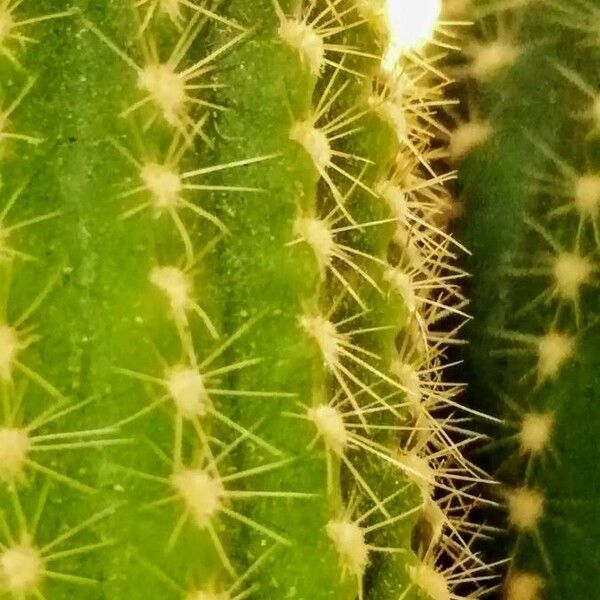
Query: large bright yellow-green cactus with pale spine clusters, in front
x=164, y=343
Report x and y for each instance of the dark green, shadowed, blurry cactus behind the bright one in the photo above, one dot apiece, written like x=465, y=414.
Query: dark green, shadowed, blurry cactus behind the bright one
x=535, y=272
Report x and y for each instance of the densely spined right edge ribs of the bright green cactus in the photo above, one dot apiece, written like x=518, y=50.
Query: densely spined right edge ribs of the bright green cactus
x=402, y=418
